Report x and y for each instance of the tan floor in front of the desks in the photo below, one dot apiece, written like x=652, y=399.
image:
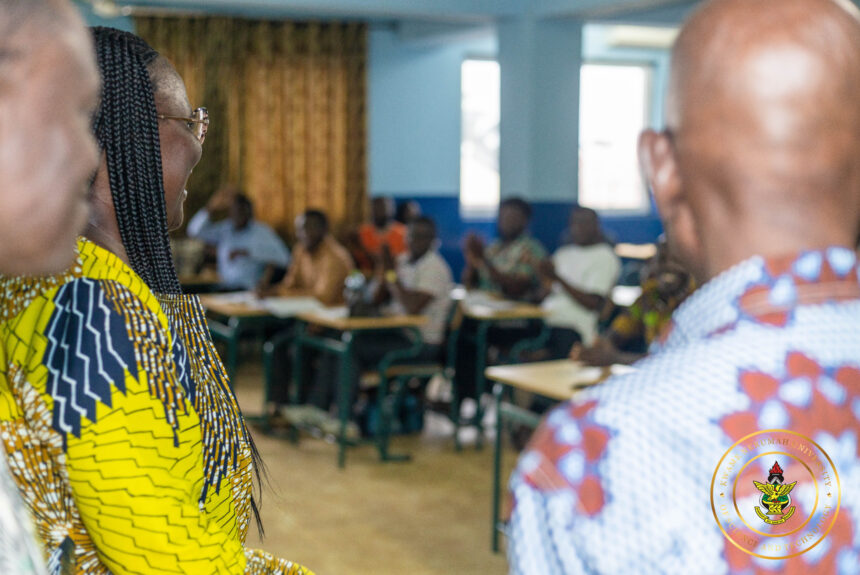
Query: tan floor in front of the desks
x=427, y=516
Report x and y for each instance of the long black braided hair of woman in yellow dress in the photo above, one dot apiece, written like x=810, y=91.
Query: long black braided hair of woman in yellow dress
x=126, y=126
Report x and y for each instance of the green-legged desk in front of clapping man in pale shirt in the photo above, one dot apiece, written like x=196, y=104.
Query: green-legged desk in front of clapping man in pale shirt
x=335, y=320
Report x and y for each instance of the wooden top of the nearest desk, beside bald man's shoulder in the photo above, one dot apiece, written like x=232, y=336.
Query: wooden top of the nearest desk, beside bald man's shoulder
x=554, y=379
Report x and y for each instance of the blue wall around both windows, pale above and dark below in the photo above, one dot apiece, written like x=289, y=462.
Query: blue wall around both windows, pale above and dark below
x=414, y=130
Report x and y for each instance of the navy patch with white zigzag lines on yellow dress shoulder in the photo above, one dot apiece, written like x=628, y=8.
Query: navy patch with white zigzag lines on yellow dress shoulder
x=88, y=351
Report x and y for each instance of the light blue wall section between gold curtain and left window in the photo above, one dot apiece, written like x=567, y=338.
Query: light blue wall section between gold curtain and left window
x=414, y=111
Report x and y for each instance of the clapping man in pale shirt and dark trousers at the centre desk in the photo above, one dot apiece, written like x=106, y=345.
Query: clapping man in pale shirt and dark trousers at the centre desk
x=419, y=282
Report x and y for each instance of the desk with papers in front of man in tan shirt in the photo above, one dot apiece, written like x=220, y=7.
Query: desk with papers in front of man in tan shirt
x=234, y=314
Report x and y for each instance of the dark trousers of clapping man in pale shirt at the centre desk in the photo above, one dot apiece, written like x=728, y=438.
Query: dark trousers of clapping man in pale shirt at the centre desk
x=369, y=348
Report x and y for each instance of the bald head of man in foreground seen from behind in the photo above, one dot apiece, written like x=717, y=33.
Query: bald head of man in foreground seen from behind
x=762, y=151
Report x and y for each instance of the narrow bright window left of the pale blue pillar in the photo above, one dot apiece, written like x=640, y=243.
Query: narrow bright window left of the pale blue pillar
x=479, y=138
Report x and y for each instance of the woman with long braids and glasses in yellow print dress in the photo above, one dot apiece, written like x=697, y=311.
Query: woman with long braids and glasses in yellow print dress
x=122, y=432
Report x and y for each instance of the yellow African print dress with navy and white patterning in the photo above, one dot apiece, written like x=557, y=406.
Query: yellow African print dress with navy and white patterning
x=120, y=429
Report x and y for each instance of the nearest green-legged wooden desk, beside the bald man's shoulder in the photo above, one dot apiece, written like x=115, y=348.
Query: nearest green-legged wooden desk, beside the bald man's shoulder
x=559, y=380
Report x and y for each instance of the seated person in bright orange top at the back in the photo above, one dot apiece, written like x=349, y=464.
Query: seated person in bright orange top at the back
x=366, y=243
